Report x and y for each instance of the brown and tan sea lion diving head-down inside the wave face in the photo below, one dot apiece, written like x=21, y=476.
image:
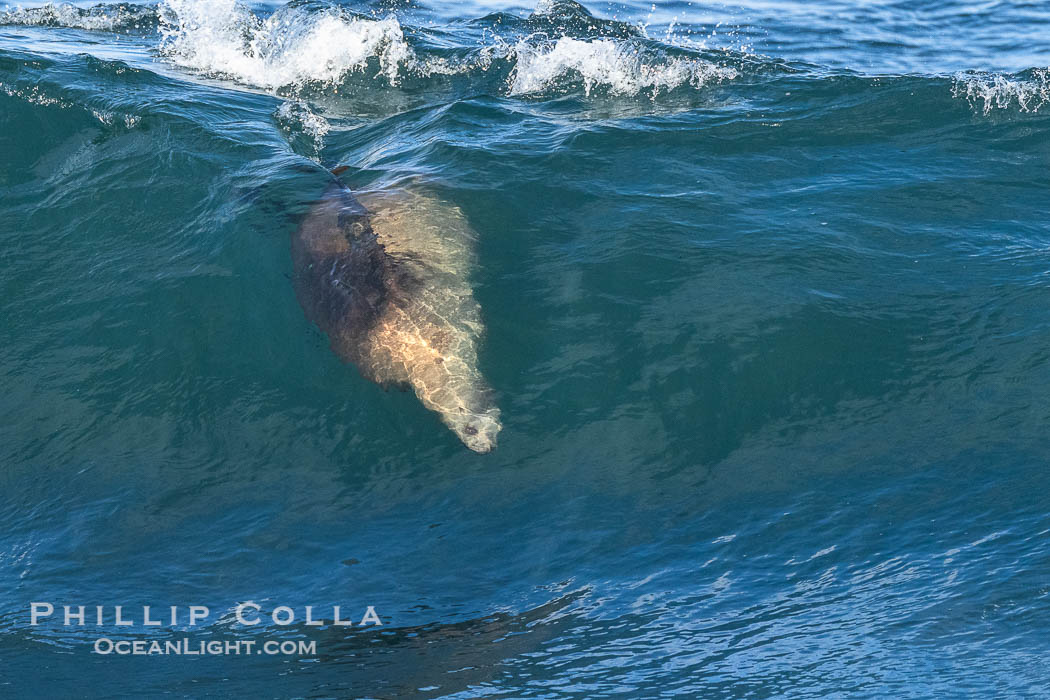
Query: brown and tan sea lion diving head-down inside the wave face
x=389, y=286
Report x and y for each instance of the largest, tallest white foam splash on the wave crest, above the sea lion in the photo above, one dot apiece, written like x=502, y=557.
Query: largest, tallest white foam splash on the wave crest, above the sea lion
x=292, y=47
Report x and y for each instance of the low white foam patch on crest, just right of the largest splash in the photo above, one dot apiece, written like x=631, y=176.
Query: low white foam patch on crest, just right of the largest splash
x=617, y=66
